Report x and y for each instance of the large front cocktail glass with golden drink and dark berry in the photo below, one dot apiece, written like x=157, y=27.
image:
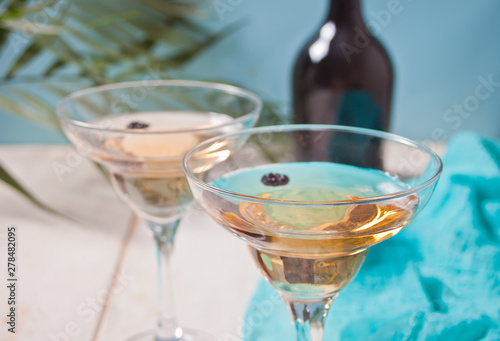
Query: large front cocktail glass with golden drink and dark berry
x=308, y=212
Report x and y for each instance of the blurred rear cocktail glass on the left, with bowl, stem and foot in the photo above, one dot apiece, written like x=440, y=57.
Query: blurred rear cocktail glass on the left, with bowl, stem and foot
x=138, y=132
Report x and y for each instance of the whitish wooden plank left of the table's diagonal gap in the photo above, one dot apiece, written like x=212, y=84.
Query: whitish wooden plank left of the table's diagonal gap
x=64, y=267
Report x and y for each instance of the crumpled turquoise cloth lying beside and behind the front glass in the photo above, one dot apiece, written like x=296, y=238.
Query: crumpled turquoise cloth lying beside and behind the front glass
x=439, y=279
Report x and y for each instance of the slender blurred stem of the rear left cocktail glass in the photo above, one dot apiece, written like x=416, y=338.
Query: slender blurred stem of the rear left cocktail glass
x=167, y=328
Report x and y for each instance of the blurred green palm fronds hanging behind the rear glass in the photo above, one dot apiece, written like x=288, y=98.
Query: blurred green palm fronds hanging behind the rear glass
x=91, y=43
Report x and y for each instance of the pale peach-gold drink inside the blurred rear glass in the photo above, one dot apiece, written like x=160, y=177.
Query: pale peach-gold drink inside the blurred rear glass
x=145, y=168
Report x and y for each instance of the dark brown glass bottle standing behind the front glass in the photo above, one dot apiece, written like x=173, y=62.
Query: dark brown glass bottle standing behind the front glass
x=344, y=75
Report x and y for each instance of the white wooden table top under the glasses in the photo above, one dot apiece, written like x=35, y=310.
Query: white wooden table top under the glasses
x=65, y=269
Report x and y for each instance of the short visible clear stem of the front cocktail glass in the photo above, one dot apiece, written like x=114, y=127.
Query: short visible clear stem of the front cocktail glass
x=308, y=316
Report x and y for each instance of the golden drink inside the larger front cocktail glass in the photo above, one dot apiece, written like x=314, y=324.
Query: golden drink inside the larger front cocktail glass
x=311, y=251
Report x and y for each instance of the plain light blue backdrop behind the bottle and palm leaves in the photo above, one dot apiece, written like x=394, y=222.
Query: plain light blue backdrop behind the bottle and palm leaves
x=440, y=49
